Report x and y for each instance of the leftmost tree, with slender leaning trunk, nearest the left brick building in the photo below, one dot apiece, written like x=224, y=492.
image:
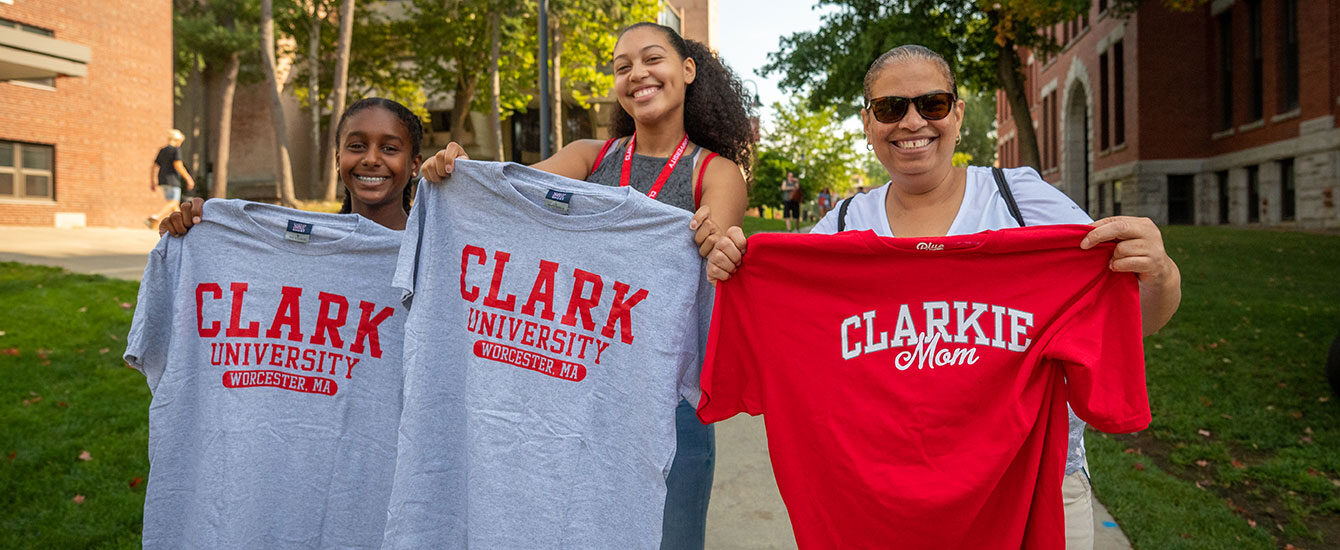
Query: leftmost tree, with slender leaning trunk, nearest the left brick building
x=212, y=37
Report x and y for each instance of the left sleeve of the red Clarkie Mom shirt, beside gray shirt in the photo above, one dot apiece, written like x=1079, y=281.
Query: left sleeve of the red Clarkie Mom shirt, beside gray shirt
x=731, y=382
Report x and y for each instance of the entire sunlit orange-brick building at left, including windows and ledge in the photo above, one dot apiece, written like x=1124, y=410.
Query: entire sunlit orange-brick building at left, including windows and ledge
x=85, y=104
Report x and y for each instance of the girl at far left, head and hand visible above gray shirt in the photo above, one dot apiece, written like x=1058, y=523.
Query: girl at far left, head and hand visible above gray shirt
x=379, y=154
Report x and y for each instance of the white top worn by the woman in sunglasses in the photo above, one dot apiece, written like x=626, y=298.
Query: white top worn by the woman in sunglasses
x=984, y=209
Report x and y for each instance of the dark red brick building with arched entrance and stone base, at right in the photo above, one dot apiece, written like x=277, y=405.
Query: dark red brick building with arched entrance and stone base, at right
x=1225, y=115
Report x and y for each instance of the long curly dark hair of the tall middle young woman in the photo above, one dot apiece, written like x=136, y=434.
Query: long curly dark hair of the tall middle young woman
x=716, y=105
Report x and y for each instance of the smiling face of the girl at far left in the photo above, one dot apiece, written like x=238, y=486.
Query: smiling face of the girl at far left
x=376, y=158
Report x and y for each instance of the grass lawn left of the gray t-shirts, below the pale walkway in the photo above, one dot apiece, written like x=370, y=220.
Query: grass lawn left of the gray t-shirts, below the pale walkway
x=65, y=391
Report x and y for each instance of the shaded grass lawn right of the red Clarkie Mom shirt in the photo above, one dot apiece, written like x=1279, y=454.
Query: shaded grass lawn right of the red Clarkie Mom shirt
x=1244, y=451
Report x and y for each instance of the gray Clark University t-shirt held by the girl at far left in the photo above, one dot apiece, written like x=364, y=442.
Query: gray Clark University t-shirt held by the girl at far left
x=275, y=370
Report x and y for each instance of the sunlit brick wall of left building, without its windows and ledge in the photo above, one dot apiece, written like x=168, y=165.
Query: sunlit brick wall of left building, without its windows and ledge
x=107, y=127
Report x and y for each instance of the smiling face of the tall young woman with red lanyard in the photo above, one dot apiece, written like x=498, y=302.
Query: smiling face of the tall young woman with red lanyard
x=651, y=77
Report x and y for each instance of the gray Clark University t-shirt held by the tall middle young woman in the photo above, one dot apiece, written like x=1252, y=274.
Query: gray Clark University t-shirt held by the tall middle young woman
x=554, y=328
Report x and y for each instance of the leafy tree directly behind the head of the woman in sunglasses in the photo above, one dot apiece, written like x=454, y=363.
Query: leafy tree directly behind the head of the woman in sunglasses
x=982, y=40
